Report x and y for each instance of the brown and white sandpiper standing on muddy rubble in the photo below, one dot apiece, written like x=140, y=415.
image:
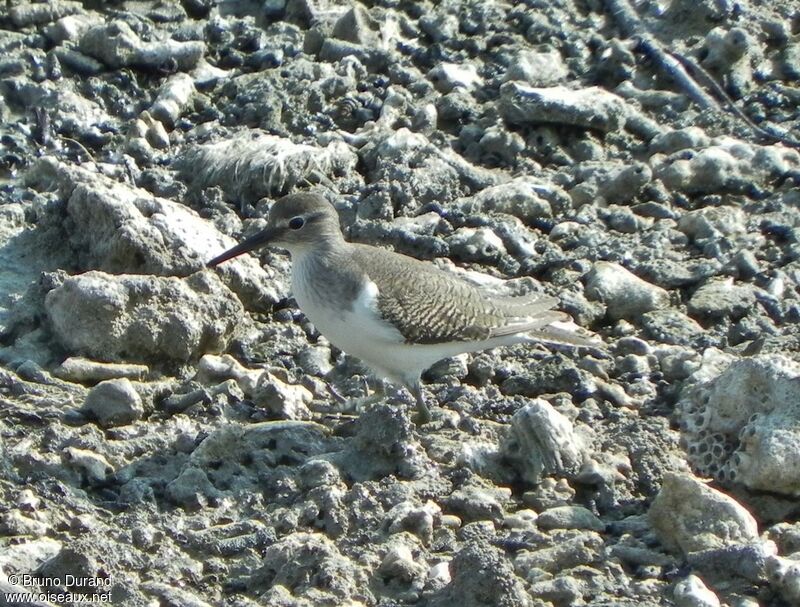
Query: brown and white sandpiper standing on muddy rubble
x=397, y=314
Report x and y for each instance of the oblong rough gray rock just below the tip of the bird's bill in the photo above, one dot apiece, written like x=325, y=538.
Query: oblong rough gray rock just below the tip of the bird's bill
x=143, y=318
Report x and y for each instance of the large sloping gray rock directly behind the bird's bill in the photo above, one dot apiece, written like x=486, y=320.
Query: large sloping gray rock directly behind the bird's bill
x=134, y=232
